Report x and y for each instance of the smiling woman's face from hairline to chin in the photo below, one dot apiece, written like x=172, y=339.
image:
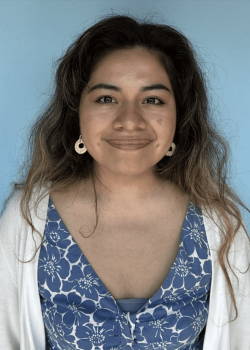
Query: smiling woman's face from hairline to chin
x=126, y=127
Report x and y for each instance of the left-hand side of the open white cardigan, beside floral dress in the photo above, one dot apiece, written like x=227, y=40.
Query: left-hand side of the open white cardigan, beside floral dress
x=21, y=322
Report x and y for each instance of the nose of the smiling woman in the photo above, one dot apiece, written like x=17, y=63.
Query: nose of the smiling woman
x=130, y=118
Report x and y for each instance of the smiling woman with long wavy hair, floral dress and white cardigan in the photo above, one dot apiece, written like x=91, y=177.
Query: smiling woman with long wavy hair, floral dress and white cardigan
x=124, y=233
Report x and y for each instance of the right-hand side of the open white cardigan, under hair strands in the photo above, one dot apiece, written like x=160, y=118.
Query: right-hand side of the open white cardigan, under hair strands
x=221, y=334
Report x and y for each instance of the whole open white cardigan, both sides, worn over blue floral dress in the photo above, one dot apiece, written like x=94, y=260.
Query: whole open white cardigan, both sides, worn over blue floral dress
x=21, y=321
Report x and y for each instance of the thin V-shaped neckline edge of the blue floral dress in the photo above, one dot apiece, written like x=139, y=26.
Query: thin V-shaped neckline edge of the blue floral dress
x=107, y=291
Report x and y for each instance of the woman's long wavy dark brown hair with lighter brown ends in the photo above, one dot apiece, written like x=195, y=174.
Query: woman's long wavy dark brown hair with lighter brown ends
x=199, y=166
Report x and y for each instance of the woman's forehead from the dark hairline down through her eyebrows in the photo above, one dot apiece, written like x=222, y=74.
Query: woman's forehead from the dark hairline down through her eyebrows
x=128, y=70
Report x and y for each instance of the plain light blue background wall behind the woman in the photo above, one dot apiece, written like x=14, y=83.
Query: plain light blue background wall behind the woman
x=34, y=33
